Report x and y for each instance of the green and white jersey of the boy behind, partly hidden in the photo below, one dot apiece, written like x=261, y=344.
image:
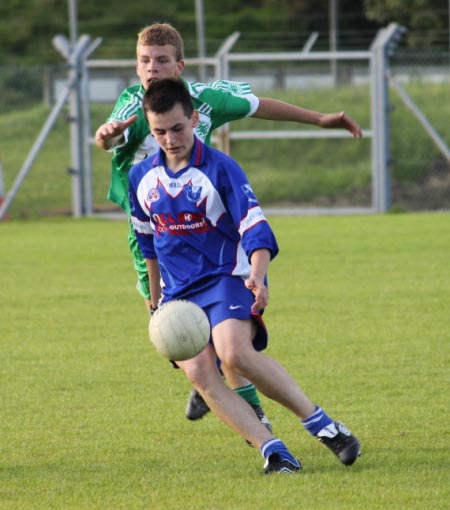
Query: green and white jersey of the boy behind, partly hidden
x=217, y=102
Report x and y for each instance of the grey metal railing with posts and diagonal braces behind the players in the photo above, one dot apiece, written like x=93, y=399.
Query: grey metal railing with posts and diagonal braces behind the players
x=379, y=78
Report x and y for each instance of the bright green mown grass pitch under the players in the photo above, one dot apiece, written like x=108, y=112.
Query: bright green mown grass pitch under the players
x=92, y=418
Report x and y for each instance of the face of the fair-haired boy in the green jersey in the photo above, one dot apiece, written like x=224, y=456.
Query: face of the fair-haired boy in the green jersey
x=156, y=63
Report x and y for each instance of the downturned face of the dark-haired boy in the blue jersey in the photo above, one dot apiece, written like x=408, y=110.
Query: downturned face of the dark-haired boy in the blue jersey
x=174, y=133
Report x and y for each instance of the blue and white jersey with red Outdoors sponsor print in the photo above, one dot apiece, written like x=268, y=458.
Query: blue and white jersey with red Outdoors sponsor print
x=200, y=222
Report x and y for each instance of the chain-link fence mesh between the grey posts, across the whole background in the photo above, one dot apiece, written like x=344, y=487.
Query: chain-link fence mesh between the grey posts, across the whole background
x=303, y=173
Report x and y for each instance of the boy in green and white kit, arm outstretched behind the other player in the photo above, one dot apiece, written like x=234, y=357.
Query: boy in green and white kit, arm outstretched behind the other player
x=126, y=133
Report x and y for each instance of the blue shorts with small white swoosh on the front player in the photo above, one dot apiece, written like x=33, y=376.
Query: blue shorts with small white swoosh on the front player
x=226, y=297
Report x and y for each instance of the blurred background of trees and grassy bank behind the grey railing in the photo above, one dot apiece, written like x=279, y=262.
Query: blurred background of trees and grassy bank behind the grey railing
x=310, y=173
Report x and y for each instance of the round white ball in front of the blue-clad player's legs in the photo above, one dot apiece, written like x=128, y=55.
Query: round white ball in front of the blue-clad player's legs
x=179, y=330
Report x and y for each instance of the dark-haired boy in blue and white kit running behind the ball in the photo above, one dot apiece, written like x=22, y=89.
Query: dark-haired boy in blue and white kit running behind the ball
x=204, y=236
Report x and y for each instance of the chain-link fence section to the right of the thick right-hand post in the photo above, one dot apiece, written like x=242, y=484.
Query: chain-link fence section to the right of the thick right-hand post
x=420, y=172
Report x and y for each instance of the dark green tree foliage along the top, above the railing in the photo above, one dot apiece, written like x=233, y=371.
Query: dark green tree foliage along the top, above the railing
x=28, y=26
